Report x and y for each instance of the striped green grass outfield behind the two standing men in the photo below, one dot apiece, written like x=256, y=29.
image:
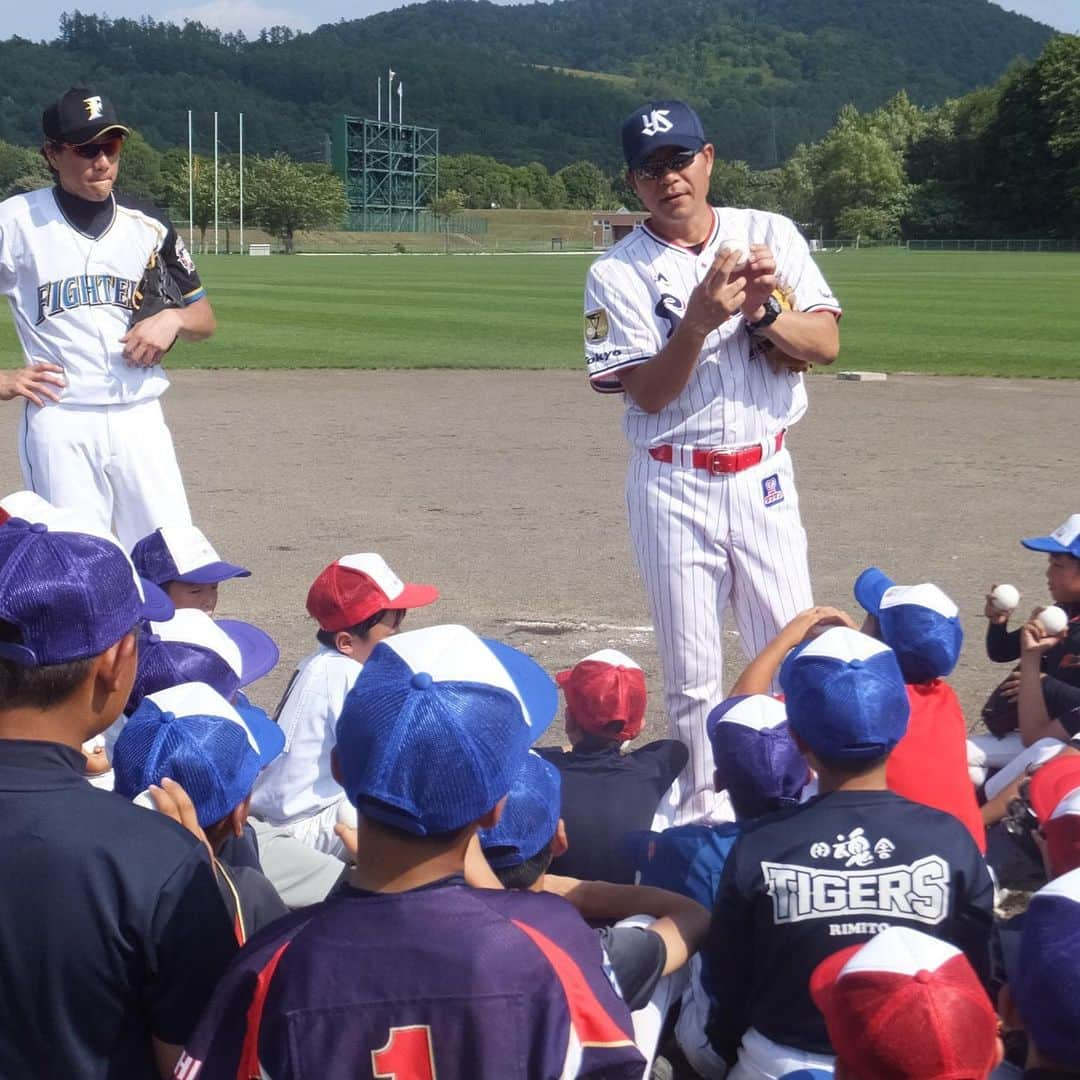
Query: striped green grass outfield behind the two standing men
x=943, y=314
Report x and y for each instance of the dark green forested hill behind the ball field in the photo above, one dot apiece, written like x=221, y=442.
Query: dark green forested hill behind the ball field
x=765, y=74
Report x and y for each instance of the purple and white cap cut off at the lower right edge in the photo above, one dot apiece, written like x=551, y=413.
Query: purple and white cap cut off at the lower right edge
x=1046, y=984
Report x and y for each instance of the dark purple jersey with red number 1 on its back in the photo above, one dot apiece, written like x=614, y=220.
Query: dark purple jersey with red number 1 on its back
x=441, y=981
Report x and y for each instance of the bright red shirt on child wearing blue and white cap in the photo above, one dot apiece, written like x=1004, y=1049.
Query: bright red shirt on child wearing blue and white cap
x=930, y=764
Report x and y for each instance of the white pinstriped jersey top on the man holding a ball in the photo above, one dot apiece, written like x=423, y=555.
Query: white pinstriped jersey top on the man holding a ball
x=636, y=296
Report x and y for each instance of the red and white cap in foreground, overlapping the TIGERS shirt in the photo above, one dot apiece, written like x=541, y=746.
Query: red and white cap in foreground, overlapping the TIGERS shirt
x=907, y=1006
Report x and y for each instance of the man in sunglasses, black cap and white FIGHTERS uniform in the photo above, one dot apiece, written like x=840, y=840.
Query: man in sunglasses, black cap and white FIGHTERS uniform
x=93, y=435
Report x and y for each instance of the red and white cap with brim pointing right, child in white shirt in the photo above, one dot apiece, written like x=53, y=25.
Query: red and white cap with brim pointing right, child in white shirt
x=355, y=588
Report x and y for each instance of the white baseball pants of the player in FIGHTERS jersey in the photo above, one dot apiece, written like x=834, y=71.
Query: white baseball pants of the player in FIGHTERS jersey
x=116, y=463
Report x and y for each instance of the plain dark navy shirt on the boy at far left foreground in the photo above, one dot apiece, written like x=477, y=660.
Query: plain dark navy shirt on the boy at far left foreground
x=112, y=927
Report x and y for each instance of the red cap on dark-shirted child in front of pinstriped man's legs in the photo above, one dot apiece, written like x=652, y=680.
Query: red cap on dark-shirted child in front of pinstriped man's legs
x=605, y=695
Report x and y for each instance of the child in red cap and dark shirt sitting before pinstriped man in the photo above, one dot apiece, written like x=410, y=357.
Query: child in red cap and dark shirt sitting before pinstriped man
x=609, y=793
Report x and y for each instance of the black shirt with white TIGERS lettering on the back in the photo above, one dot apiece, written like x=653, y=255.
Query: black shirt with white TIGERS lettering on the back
x=805, y=883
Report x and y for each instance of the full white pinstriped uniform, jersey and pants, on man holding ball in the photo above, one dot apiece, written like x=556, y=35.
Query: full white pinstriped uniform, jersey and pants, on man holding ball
x=704, y=539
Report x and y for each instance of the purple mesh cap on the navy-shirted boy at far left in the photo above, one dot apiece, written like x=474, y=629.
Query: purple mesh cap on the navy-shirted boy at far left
x=69, y=596
